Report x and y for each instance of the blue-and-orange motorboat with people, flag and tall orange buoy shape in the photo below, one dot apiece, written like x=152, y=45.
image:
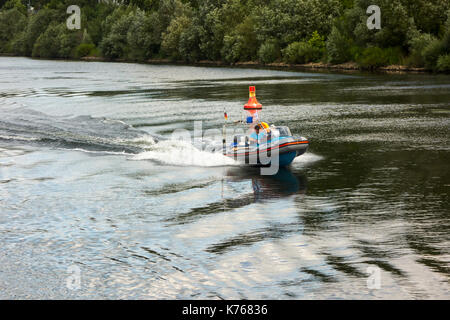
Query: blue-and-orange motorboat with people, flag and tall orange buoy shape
x=275, y=144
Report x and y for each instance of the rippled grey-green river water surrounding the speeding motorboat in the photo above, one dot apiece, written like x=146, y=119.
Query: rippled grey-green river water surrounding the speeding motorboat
x=97, y=201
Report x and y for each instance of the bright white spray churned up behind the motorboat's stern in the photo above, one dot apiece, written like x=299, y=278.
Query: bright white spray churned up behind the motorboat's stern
x=182, y=153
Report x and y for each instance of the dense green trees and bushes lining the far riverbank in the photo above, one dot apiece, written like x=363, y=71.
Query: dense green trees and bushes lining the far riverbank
x=415, y=33
